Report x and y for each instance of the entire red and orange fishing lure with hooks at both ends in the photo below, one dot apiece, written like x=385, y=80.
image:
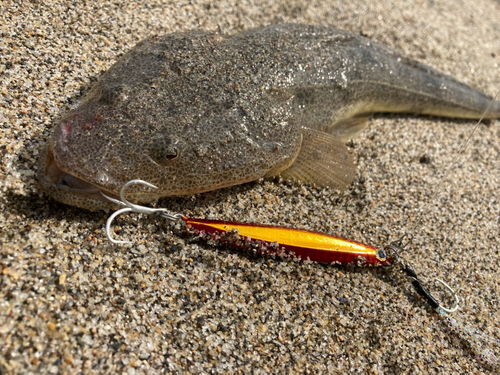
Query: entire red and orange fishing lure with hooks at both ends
x=312, y=246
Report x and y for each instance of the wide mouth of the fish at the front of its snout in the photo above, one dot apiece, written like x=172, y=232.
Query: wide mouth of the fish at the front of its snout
x=68, y=188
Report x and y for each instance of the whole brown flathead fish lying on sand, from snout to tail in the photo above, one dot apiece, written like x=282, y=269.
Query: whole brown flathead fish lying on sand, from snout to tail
x=196, y=111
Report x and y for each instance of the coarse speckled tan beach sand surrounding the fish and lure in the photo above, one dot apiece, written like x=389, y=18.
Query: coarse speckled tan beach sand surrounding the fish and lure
x=71, y=301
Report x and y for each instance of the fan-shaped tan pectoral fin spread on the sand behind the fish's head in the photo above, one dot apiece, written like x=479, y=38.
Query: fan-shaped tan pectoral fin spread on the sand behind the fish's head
x=323, y=160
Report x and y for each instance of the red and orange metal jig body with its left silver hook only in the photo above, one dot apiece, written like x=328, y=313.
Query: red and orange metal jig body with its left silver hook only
x=266, y=239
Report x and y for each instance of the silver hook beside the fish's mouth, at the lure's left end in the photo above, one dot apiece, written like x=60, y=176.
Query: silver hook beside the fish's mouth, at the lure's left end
x=130, y=207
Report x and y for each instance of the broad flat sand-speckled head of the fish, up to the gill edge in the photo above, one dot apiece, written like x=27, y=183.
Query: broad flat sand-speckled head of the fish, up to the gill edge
x=173, y=112
